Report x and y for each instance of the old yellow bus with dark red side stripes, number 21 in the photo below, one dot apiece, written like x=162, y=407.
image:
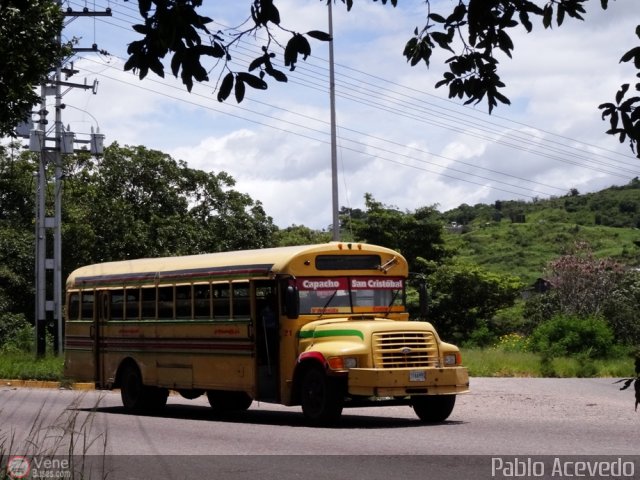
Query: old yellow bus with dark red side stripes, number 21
x=320, y=326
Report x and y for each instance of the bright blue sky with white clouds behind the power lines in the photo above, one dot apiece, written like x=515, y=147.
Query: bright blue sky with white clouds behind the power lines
x=398, y=138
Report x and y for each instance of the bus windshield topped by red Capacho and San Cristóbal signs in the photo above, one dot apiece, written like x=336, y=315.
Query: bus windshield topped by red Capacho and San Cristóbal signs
x=329, y=295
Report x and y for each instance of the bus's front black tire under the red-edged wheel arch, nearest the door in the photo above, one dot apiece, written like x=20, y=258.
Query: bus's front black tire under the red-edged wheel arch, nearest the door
x=321, y=397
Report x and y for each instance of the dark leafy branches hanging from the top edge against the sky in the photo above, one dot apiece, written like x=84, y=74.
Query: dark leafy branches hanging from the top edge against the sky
x=476, y=32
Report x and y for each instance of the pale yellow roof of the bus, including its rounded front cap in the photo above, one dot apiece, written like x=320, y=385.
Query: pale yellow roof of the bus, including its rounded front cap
x=226, y=265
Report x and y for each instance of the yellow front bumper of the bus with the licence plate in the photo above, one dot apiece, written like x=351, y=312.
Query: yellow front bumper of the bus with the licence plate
x=400, y=382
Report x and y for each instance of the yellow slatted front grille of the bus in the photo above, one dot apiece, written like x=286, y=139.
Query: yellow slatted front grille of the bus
x=404, y=349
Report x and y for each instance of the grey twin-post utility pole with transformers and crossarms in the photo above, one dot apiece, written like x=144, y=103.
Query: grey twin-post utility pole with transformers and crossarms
x=48, y=277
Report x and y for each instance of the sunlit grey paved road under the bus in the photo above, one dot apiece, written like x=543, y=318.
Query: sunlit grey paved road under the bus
x=515, y=419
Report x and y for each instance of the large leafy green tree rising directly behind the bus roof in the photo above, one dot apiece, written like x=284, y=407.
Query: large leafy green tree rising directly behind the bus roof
x=138, y=202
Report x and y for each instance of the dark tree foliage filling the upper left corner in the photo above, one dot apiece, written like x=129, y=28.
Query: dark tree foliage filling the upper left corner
x=29, y=49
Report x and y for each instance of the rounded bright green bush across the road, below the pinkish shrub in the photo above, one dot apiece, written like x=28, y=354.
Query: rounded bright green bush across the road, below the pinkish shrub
x=573, y=335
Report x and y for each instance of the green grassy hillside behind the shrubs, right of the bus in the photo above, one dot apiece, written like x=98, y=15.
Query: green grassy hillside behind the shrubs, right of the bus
x=521, y=237
